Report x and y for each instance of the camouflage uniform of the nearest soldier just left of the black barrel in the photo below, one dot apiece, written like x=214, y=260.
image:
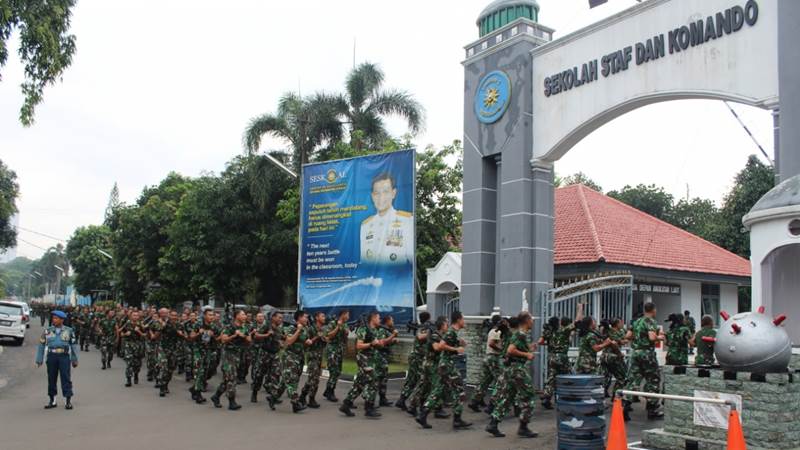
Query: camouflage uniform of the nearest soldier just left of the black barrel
x=517, y=383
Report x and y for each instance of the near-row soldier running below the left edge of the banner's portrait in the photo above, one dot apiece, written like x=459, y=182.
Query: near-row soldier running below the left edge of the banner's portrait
x=365, y=383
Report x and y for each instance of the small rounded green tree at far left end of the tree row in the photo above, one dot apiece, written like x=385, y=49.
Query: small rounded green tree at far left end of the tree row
x=93, y=271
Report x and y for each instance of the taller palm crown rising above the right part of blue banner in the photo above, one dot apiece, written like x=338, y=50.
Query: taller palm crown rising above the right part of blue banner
x=364, y=105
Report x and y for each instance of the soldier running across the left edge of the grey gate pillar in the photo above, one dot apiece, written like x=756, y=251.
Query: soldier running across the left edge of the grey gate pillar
x=448, y=381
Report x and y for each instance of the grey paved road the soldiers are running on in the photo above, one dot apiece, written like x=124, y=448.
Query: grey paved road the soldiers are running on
x=107, y=415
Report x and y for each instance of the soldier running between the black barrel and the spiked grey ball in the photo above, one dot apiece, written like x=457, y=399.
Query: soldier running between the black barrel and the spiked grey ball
x=643, y=364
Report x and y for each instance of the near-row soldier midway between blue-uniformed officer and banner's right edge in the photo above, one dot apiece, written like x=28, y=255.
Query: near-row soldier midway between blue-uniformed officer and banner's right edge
x=234, y=340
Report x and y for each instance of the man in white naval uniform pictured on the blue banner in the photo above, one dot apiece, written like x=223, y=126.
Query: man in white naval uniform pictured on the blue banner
x=388, y=236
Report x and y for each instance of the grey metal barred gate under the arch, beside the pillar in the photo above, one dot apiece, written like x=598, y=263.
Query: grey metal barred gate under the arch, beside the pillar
x=605, y=296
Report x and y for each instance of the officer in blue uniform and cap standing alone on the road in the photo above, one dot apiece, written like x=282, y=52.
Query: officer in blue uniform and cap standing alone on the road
x=60, y=343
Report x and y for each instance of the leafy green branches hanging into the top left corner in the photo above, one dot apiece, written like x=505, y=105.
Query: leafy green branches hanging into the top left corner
x=46, y=47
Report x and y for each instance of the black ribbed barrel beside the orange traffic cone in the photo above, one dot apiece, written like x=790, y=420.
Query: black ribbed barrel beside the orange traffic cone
x=581, y=413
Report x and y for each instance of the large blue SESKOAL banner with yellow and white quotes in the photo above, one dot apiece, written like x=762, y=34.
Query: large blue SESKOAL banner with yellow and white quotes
x=358, y=237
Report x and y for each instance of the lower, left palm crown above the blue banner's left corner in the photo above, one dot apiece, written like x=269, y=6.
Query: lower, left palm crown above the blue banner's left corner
x=305, y=123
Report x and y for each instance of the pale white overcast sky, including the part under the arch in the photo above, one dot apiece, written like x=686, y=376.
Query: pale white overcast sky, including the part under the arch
x=169, y=85
